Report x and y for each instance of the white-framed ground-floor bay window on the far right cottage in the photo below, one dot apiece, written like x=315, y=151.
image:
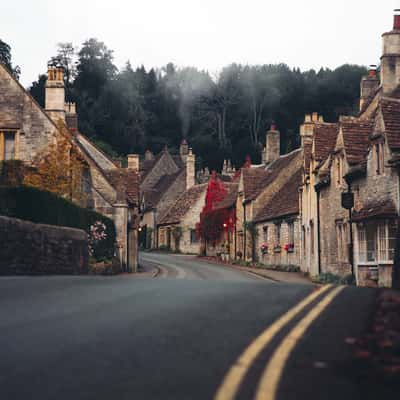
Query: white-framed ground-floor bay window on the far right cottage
x=376, y=241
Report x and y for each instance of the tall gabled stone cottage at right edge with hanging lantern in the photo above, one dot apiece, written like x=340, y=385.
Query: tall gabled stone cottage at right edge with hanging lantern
x=358, y=161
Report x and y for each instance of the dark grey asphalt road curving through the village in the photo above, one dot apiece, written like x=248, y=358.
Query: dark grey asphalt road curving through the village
x=171, y=337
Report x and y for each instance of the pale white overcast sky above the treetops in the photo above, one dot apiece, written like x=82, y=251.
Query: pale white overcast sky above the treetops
x=207, y=34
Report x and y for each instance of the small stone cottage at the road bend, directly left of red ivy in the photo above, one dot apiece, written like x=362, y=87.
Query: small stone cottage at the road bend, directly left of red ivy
x=176, y=230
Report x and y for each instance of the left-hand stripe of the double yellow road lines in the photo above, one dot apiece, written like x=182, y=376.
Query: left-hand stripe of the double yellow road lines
x=234, y=377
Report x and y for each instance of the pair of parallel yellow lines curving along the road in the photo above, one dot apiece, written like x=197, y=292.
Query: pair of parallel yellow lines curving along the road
x=270, y=378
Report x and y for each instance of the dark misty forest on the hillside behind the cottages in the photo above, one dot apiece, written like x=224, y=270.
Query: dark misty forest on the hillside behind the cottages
x=225, y=116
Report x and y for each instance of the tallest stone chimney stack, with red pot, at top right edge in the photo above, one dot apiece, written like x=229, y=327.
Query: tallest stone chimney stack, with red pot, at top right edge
x=390, y=60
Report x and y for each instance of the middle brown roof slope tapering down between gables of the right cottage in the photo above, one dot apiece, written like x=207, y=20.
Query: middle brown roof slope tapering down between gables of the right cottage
x=356, y=135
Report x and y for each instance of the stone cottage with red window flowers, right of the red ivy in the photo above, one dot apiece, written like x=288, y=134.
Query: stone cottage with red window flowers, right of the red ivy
x=263, y=230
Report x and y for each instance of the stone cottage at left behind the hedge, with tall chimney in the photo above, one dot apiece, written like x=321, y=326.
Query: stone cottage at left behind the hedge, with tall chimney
x=28, y=132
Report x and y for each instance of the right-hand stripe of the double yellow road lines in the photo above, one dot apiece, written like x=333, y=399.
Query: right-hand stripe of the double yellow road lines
x=270, y=378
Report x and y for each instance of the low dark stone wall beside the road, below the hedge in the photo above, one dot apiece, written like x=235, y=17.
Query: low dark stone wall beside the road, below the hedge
x=28, y=248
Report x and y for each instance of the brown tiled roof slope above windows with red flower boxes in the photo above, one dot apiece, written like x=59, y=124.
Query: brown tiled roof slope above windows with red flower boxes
x=285, y=202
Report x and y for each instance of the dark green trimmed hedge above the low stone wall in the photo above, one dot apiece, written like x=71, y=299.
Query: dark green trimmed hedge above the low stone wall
x=43, y=207
